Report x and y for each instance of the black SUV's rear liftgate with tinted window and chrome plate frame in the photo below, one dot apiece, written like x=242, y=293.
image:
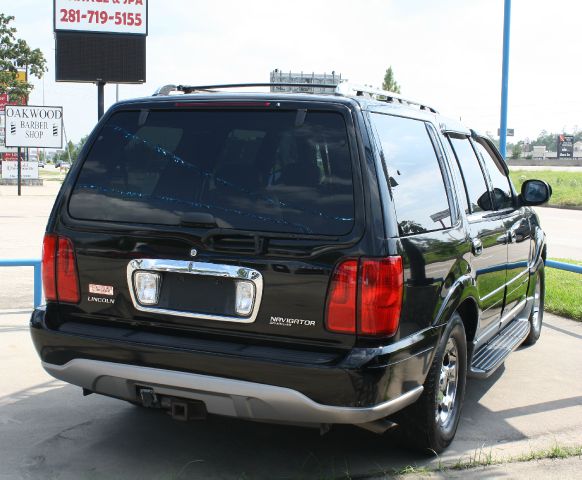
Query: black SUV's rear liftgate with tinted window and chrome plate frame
x=219, y=219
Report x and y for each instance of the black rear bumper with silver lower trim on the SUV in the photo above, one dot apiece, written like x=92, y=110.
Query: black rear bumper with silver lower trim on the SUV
x=249, y=381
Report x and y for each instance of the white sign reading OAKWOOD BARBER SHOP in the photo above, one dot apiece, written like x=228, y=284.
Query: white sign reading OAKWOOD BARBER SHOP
x=31, y=126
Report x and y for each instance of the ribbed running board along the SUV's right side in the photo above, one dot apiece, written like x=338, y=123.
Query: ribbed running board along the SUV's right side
x=490, y=357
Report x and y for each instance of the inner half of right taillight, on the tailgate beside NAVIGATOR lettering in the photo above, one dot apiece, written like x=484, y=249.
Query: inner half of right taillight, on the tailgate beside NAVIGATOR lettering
x=341, y=299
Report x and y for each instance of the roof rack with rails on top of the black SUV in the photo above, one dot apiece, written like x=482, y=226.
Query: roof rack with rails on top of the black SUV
x=343, y=89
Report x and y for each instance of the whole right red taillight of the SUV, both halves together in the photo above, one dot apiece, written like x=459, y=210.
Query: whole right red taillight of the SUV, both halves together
x=366, y=297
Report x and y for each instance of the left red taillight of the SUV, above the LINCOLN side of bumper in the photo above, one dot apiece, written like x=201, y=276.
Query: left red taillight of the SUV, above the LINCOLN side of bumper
x=59, y=270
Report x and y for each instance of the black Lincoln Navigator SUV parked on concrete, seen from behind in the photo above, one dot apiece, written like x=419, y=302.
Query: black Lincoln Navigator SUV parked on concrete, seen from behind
x=307, y=259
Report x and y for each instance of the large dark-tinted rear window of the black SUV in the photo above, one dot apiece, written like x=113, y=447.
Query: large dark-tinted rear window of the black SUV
x=281, y=171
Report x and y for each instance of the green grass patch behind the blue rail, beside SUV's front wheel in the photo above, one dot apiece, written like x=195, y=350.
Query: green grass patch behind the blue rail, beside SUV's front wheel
x=564, y=292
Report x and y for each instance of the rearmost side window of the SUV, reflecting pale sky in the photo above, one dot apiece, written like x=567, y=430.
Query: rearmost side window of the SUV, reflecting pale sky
x=415, y=175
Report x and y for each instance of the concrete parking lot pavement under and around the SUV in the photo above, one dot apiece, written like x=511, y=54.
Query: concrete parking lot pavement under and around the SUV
x=49, y=430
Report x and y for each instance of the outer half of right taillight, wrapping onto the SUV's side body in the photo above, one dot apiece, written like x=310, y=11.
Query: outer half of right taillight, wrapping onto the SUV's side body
x=380, y=302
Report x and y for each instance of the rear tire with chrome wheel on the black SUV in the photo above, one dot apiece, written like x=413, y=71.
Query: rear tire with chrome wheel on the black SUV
x=428, y=424
